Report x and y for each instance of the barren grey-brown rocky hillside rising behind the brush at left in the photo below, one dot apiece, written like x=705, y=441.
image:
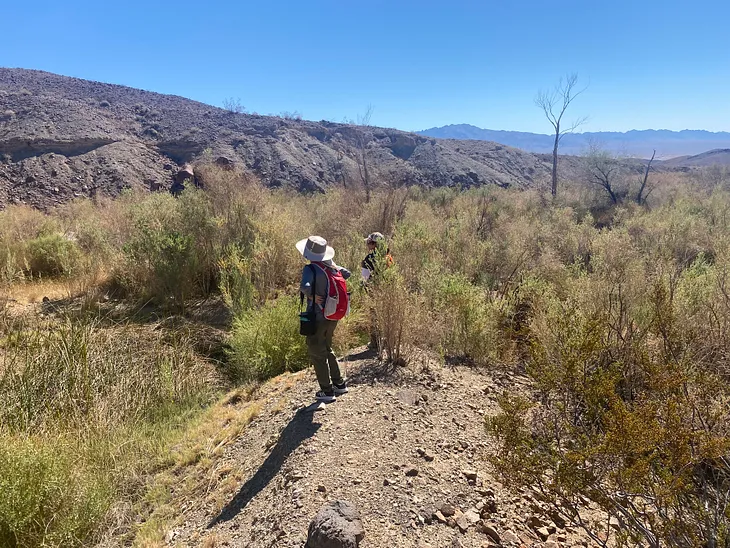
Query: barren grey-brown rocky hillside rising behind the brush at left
x=63, y=137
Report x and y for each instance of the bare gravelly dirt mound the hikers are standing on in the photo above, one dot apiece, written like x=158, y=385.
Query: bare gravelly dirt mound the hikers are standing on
x=401, y=445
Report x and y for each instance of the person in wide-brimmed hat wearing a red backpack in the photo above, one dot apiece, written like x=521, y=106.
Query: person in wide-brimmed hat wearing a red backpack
x=317, y=285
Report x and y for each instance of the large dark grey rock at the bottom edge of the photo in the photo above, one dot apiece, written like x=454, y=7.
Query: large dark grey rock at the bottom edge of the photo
x=336, y=525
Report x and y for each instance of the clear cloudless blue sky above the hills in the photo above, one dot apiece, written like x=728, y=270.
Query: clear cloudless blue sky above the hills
x=649, y=64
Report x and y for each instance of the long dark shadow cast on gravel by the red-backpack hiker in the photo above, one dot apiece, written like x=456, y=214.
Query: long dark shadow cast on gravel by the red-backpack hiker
x=300, y=428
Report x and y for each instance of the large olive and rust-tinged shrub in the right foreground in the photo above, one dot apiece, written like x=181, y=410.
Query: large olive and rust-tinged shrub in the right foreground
x=625, y=414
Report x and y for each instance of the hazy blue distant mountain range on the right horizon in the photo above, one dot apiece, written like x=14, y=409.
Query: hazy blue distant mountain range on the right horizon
x=636, y=143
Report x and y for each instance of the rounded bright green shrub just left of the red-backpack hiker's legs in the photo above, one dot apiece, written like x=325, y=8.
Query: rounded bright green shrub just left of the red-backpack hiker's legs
x=266, y=342
